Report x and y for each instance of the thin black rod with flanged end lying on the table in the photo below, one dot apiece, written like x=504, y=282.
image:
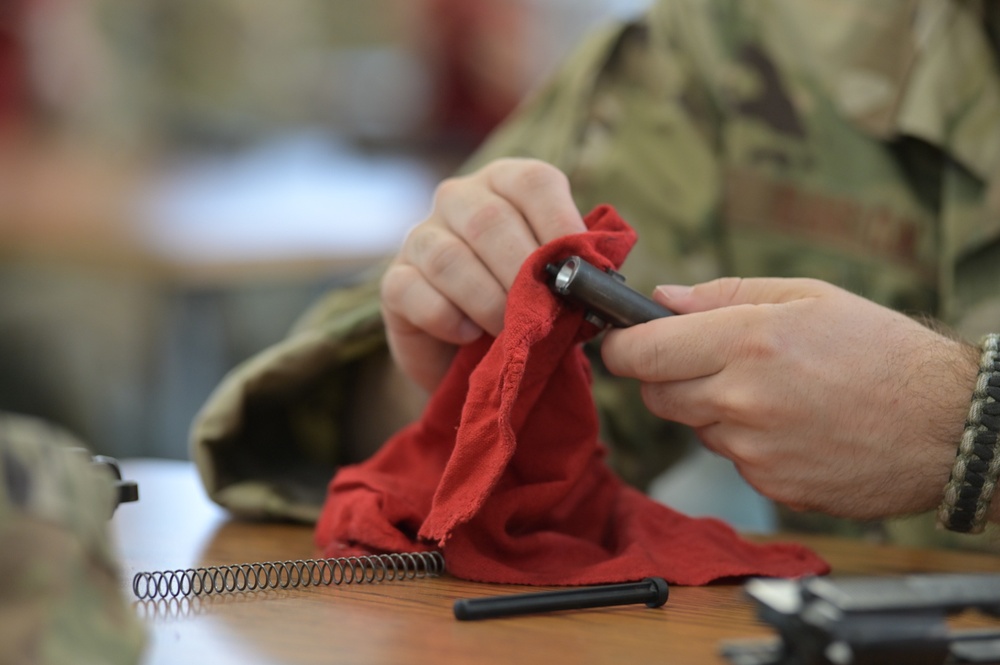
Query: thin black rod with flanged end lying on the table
x=653, y=591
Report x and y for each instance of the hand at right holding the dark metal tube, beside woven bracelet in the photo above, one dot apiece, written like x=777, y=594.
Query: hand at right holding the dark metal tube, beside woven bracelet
x=822, y=399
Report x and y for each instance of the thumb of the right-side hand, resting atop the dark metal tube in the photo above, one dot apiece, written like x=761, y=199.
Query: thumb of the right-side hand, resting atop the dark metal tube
x=729, y=291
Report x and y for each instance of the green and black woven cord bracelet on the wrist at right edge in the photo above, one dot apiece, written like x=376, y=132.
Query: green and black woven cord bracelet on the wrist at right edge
x=973, y=480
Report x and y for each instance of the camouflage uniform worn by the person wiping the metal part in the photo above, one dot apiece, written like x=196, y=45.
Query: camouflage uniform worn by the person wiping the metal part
x=854, y=142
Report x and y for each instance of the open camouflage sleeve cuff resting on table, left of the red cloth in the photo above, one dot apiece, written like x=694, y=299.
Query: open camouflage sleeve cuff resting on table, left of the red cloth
x=269, y=437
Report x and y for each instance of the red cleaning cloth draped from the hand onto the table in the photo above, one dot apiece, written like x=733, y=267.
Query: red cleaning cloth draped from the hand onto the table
x=505, y=474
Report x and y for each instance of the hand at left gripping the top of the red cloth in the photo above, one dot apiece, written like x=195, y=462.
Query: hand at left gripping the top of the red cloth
x=450, y=280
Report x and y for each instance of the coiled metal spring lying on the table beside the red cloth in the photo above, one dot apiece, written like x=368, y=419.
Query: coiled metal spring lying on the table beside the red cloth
x=267, y=575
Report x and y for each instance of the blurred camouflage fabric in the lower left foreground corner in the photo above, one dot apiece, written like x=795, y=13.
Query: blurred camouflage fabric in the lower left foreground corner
x=61, y=598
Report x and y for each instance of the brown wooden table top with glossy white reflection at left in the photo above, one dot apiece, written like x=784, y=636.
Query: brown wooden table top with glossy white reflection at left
x=174, y=526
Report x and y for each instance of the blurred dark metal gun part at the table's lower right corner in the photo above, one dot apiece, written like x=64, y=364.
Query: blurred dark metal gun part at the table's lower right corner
x=876, y=620
